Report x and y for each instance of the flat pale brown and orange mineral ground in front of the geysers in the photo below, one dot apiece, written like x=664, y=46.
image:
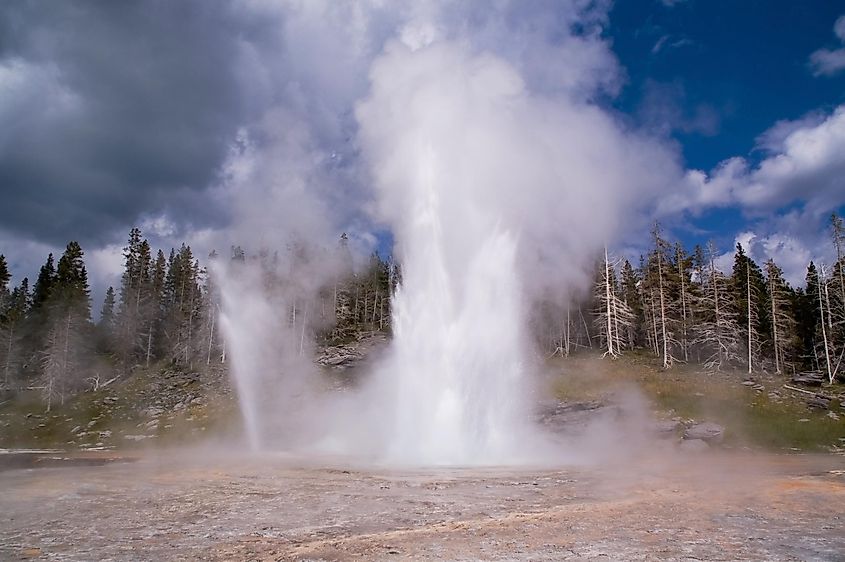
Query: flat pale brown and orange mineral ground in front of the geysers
x=715, y=507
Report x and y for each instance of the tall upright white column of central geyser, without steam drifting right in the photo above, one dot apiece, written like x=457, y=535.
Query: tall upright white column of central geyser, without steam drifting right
x=455, y=377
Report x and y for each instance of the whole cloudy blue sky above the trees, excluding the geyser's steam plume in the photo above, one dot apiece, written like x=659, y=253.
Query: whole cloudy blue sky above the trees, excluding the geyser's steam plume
x=179, y=117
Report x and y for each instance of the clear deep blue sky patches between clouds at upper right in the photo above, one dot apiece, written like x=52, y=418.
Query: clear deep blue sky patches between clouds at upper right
x=722, y=74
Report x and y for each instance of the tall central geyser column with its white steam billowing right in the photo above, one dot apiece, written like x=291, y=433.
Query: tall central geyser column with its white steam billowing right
x=477, y=178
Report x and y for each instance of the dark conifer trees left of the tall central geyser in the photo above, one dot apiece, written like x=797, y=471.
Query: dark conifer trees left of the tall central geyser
x=164, y=312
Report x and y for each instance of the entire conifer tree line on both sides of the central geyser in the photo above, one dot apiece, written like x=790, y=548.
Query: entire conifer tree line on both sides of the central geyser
x=676, y=303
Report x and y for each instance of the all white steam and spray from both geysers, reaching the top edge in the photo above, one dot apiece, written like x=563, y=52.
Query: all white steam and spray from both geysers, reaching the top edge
x=500, y=178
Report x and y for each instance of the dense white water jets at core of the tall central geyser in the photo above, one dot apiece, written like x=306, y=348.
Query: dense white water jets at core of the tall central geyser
x=458, y=357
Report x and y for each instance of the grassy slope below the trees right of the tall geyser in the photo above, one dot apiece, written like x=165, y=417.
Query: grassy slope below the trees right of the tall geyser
x=759, y=418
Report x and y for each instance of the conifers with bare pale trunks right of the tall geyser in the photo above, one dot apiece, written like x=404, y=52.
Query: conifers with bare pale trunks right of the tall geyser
x=682, y=307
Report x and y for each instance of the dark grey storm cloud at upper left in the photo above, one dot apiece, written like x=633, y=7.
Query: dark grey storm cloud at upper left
x=109, y=108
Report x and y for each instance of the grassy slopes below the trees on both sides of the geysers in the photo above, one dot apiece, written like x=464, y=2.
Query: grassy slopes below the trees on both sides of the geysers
x=193, y=405
